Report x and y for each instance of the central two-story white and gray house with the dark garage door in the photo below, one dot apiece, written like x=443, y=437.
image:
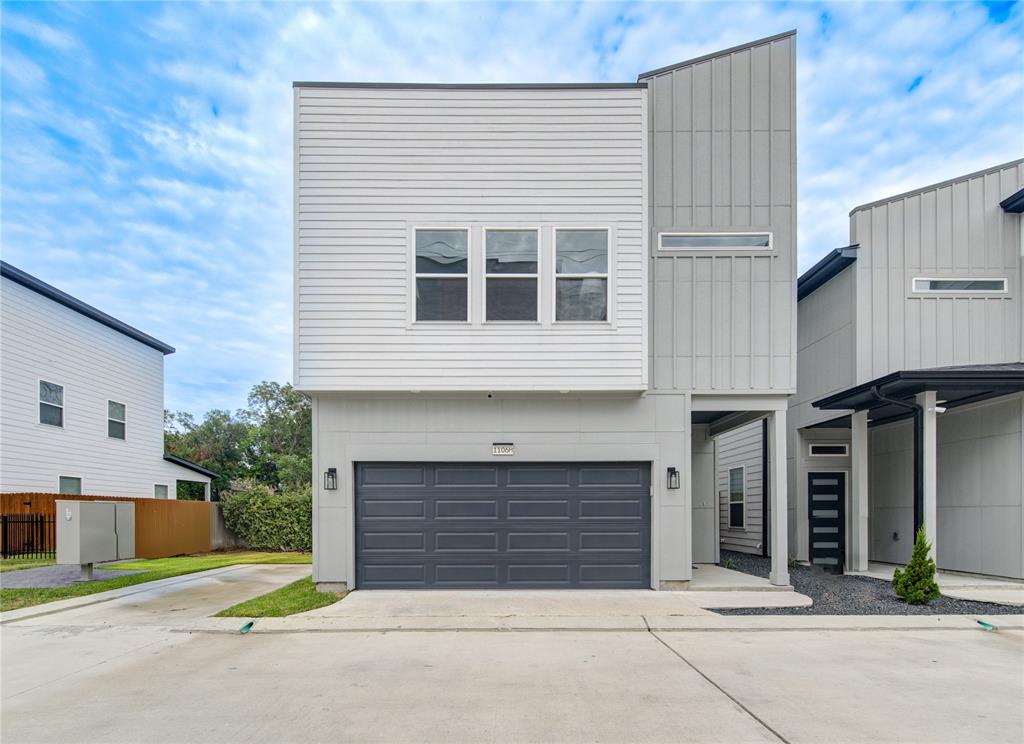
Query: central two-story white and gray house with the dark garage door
x=522, y=313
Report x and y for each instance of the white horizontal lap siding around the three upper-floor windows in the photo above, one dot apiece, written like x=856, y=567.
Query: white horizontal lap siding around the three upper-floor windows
x=371, y=165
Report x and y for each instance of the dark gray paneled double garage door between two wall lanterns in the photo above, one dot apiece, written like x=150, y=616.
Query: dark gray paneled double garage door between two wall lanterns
x=451, y=526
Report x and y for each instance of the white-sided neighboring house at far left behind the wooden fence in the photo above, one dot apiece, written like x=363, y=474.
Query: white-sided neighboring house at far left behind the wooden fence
x=81, y=400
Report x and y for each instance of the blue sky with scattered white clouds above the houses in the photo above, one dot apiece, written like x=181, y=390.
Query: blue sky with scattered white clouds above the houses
x=147, y=149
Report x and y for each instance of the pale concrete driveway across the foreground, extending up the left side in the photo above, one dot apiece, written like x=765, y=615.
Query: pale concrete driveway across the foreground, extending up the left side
x=151, y=667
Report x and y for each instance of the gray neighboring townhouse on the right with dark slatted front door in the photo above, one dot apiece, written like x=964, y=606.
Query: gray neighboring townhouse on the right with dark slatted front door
x=910, y=407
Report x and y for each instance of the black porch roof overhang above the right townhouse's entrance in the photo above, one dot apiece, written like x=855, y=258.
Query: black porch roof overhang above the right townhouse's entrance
x=953, y=385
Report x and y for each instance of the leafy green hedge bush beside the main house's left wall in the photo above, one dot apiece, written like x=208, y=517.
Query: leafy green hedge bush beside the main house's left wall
x=267, y=520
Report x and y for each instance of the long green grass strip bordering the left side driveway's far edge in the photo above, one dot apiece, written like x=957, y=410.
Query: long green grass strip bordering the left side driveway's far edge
x=152, y=572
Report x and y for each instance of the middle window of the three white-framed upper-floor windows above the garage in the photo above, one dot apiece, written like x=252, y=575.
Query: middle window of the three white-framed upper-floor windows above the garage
x=511, y=267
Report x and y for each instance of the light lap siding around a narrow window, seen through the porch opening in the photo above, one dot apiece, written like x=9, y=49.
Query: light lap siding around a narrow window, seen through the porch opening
x=742, y=448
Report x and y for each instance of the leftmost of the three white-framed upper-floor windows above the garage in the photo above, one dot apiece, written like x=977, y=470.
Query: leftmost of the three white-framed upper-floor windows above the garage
x=442, y=256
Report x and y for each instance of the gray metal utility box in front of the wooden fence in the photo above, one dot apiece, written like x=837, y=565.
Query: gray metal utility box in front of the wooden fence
x=95, y=532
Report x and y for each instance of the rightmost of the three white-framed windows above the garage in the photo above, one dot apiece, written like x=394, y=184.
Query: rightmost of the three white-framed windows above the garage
x=582, y=275
